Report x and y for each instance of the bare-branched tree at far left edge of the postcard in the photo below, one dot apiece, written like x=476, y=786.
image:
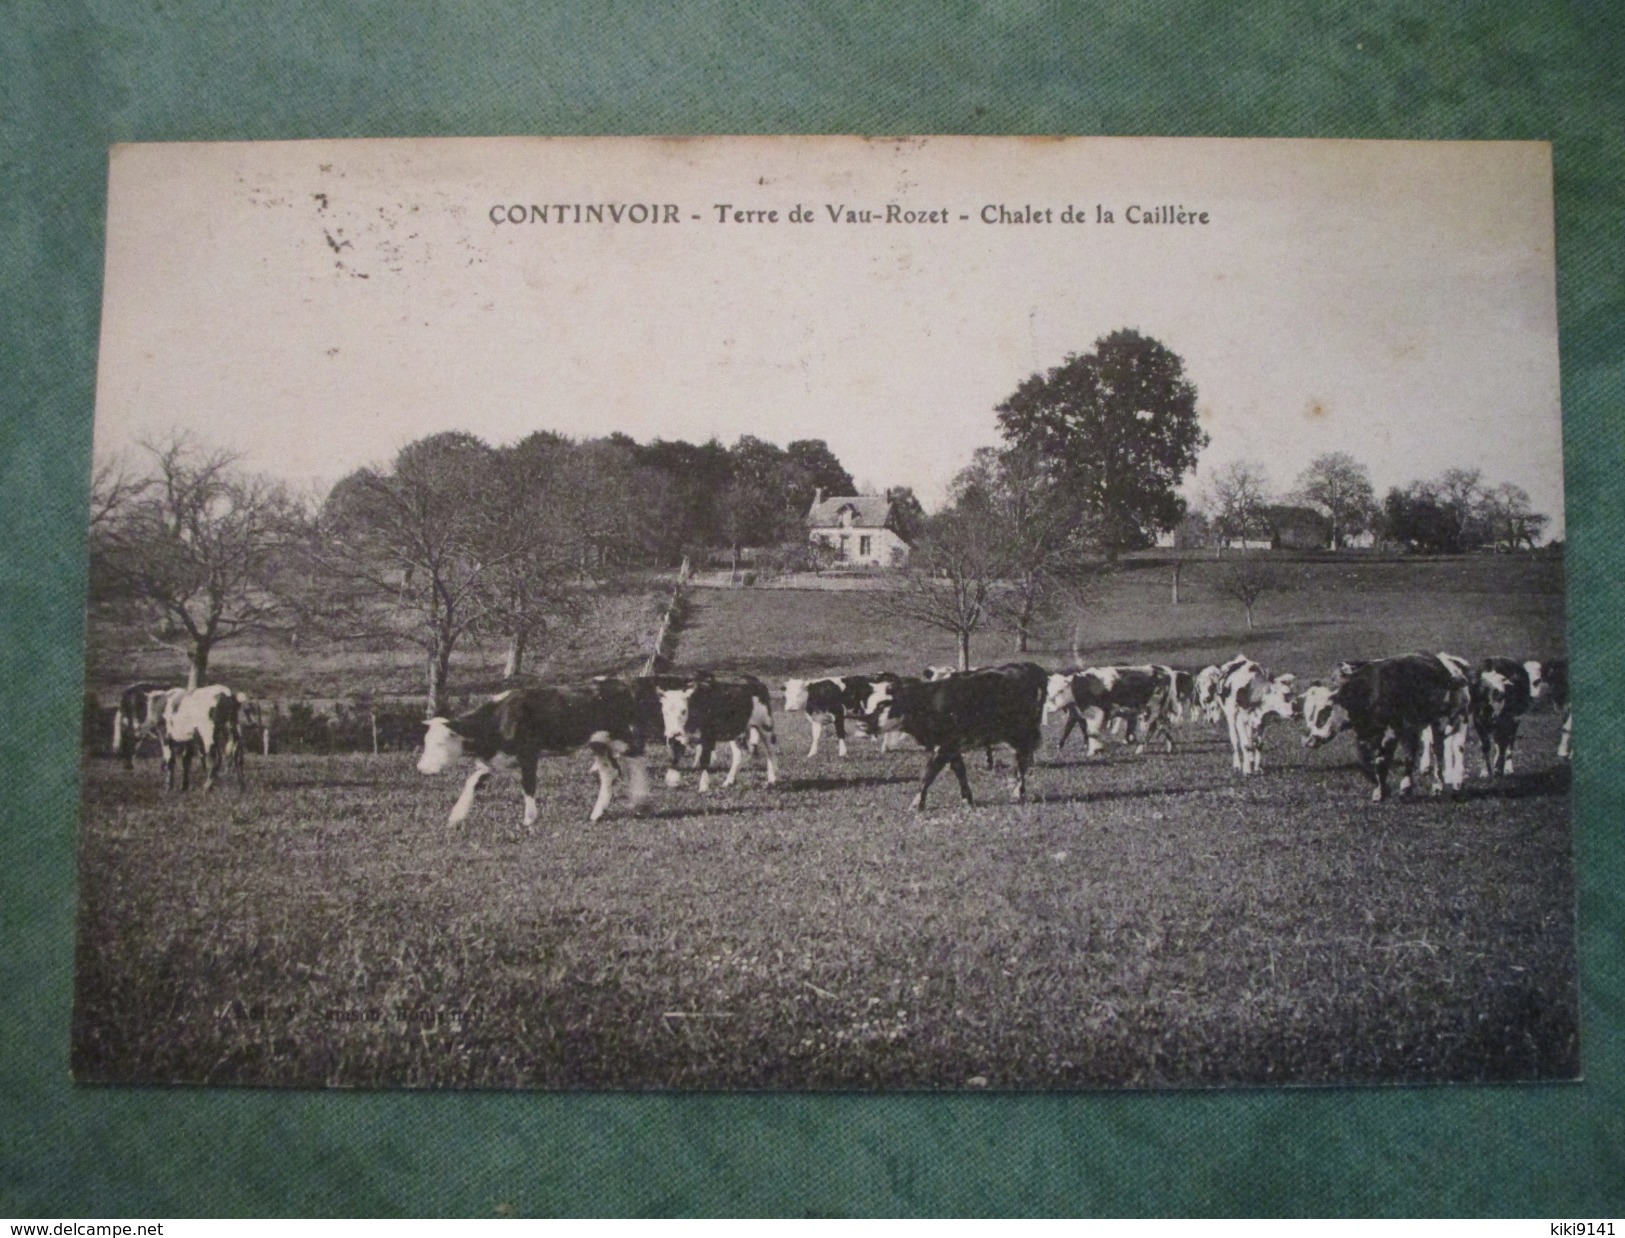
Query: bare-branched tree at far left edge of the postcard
x=194, y=548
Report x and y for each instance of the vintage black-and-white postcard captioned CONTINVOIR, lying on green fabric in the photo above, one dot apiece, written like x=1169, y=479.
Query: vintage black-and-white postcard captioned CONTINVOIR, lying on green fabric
x=539, y=584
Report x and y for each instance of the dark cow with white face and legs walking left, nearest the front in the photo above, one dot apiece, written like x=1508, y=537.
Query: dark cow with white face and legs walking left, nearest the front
x=527, y=722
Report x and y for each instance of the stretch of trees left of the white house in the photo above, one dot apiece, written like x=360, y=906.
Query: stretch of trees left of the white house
x=453, y=540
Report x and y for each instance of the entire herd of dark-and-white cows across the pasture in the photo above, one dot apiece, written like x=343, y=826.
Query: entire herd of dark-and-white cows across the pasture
x=1418, y=708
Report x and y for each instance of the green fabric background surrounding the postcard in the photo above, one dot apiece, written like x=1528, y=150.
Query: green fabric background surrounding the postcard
x=77, y=77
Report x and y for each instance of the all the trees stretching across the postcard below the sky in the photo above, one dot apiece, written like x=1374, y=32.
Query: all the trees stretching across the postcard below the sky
x=457, y=539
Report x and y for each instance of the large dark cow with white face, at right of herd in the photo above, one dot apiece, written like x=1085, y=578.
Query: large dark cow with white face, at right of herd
x=1390, y=704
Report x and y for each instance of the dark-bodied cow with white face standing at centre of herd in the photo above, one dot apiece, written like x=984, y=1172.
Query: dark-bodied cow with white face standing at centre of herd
x=973, y=709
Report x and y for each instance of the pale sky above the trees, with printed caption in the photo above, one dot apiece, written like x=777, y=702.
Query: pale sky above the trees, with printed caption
x=318, y=306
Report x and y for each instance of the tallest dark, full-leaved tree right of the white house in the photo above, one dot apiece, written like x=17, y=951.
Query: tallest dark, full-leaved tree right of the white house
x=1120, y=426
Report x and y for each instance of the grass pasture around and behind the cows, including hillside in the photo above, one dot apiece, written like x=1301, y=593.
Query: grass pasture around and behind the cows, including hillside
x=1142, y=922
